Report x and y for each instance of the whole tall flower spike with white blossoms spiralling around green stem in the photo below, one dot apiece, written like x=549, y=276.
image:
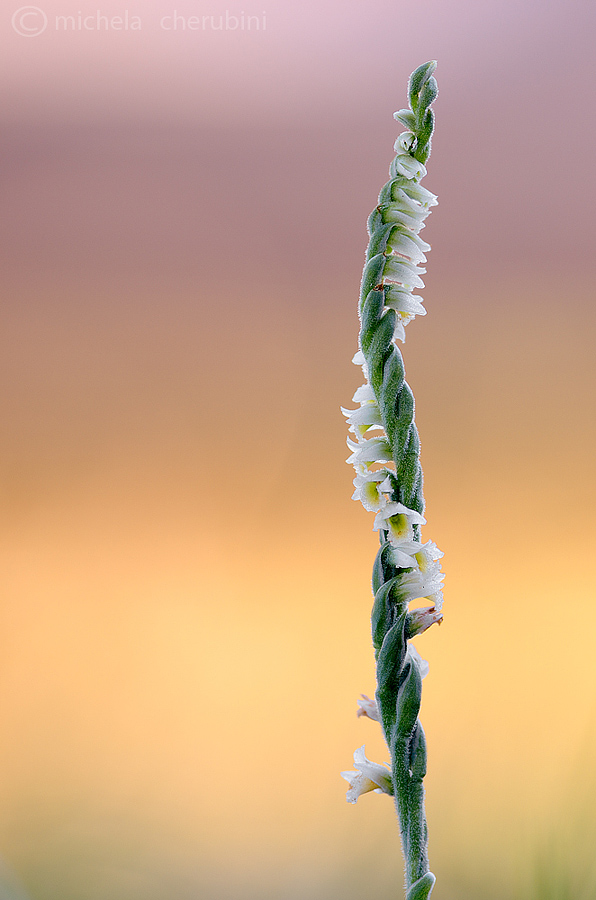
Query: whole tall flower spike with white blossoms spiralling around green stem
x=386, y=456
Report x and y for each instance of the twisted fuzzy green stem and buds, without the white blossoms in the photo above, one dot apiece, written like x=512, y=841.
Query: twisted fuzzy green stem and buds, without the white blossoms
x=399, y=682
